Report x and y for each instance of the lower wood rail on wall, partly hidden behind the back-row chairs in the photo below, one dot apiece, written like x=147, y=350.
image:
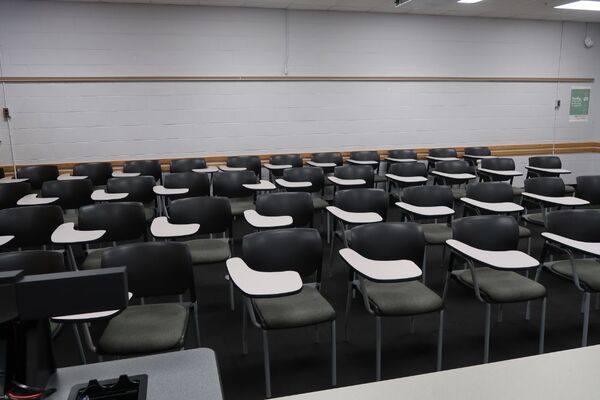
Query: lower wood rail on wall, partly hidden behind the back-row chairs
x=498, y=150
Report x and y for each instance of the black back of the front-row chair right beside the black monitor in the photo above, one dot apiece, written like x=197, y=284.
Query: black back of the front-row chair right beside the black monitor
x=153, y=268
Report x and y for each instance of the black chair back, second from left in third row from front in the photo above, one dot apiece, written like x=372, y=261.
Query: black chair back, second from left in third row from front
x=71, y=194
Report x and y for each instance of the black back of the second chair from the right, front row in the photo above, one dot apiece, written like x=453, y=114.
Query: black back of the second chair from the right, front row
x=487, y=232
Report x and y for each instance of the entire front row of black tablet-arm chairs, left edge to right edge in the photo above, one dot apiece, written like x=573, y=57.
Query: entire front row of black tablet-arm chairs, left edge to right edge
x=384, y=258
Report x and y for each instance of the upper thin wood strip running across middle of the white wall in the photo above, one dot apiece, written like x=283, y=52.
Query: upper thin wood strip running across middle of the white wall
x=288, y=78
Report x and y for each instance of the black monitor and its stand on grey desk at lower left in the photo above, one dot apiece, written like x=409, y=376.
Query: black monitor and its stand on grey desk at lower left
x=27, y=303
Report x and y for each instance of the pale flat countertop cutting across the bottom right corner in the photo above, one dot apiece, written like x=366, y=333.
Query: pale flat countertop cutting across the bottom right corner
x=570, y=374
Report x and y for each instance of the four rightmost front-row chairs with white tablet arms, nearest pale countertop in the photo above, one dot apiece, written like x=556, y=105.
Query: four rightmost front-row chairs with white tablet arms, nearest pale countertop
x=384, y=259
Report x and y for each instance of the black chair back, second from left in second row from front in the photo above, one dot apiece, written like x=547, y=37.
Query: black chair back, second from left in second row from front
x=121, y=220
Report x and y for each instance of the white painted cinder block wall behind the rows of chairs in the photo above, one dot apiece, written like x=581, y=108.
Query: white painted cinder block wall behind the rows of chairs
x=60, y=122
